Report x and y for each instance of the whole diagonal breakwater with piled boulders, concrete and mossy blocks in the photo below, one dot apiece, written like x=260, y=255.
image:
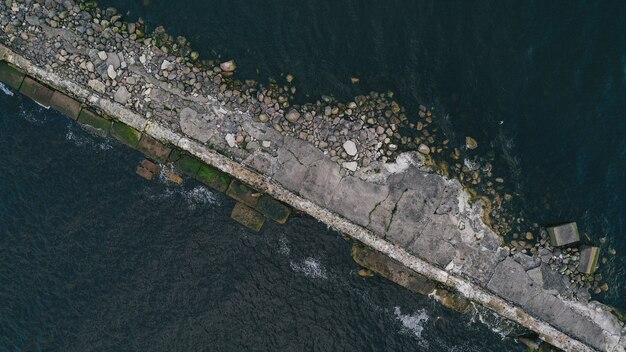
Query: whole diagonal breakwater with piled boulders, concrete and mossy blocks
x=153, y=94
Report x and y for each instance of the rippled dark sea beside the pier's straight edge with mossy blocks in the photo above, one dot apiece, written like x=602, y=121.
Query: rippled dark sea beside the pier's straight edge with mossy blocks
x=95, y=258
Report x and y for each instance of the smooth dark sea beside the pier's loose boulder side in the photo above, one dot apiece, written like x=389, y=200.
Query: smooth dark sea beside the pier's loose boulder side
x=540, y=84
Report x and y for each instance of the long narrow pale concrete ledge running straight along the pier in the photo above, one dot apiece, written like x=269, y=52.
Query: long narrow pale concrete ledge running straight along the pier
x=159, y=132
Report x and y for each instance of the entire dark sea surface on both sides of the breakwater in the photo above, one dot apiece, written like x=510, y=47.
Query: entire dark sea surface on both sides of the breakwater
x=93, y=257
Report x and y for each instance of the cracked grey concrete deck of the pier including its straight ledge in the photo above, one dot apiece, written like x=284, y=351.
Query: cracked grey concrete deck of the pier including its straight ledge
x=421, y=220
